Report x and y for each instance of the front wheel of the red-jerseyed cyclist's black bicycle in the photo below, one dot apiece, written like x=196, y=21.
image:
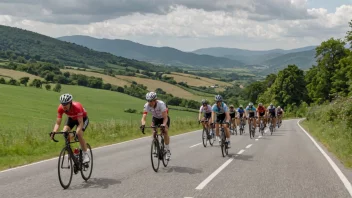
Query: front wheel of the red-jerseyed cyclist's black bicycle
x=65, y=162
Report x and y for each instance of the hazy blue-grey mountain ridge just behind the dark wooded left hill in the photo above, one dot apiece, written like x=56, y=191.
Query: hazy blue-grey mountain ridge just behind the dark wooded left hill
x=156, y=55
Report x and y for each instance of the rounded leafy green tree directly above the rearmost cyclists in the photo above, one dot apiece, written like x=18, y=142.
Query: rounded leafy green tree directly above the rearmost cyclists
x=290, y=87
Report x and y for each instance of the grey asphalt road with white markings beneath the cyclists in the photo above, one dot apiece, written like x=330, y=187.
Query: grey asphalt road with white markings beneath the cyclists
x=286, y=164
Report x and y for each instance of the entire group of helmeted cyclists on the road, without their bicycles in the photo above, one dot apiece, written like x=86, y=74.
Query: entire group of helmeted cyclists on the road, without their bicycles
x=218, y=113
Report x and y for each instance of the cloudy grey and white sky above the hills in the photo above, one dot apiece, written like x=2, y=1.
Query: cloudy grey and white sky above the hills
x=186, y=24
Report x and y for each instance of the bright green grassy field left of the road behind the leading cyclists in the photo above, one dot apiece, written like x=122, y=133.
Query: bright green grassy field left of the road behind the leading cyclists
x=28, y=115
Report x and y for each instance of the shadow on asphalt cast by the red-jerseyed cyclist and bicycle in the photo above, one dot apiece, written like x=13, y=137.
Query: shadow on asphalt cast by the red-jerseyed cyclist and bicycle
x=102, y=183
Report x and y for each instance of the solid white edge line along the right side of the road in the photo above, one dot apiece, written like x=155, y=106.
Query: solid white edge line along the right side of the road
x=332, y=163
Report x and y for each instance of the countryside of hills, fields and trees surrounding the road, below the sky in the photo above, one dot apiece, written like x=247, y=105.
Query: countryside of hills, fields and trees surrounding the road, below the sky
x=111, y=77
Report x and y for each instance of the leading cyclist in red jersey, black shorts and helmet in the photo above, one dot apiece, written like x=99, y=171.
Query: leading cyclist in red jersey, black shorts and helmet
x=76, y=116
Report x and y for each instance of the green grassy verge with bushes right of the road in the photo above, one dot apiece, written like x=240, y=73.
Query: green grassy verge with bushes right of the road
x=331, y=124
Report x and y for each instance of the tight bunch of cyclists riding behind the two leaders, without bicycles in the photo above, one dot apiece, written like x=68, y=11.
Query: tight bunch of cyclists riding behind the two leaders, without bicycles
x=220, y=113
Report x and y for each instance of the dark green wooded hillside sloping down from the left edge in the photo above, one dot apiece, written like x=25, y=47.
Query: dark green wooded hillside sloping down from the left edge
x=45, y=48
